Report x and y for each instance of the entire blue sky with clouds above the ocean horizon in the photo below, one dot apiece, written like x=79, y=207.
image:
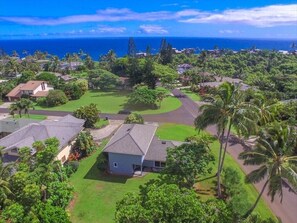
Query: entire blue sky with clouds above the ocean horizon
x=98, y=18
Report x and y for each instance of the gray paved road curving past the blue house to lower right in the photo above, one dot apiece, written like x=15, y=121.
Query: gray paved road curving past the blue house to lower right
x=186, y=114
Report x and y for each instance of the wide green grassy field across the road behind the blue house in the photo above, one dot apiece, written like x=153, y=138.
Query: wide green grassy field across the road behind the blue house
x=113, y=102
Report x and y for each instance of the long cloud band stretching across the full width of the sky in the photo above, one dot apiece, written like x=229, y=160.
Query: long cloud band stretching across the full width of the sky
x=268, y=16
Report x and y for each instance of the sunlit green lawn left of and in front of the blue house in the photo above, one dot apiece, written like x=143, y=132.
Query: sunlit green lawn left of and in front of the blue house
x=96, y=193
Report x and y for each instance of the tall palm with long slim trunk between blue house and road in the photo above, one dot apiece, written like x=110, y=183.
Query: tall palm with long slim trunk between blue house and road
x=228, y=109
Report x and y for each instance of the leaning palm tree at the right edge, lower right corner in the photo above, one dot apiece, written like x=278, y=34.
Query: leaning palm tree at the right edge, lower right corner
x=274, y=154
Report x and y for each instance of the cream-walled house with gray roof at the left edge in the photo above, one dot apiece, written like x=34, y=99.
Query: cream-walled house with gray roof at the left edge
x=65, y=130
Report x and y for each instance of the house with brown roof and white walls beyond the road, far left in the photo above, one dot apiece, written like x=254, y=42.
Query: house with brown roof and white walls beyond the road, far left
x=32, y=88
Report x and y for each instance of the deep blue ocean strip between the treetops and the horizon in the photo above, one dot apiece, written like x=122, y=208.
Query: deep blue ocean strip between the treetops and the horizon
x=99, y=46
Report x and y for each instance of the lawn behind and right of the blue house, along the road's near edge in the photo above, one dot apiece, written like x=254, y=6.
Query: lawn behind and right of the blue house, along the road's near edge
x=206, y=188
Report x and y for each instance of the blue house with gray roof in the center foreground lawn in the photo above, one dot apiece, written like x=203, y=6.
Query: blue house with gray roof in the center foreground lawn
x=135, y=147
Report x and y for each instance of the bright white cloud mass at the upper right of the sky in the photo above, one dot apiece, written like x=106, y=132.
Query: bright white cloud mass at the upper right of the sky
x=269, y=16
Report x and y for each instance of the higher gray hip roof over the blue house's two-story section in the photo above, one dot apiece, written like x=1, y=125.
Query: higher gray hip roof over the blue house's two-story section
x=133, y=139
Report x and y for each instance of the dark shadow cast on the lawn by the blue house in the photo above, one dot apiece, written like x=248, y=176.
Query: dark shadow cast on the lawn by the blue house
x=95, y=174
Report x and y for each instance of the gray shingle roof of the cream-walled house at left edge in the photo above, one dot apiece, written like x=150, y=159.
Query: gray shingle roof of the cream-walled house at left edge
x=65, y=130
